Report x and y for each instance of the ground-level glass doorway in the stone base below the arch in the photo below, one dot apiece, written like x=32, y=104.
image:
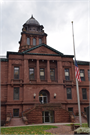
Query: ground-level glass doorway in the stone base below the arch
x=48, y=116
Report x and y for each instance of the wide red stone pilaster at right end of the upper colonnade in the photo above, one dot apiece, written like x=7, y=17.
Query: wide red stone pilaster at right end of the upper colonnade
x=59, y=71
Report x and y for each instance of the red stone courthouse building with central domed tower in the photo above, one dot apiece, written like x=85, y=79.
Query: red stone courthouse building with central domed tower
x=39, y=81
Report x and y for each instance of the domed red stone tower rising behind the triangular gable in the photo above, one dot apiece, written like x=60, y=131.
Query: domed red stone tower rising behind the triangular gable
x=32, y=34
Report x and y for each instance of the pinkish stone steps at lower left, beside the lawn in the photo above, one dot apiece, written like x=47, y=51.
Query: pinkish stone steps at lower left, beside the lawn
x=16, y=122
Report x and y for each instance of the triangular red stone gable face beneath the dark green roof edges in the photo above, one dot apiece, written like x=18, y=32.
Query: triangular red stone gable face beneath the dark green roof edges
x=42, y=50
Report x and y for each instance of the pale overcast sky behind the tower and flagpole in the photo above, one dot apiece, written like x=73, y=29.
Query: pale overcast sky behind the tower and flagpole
x=55, y=16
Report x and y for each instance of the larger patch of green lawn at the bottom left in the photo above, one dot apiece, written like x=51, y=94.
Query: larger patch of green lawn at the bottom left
x=27, y=130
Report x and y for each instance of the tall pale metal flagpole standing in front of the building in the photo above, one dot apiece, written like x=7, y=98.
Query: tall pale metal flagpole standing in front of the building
x=76, y=78
